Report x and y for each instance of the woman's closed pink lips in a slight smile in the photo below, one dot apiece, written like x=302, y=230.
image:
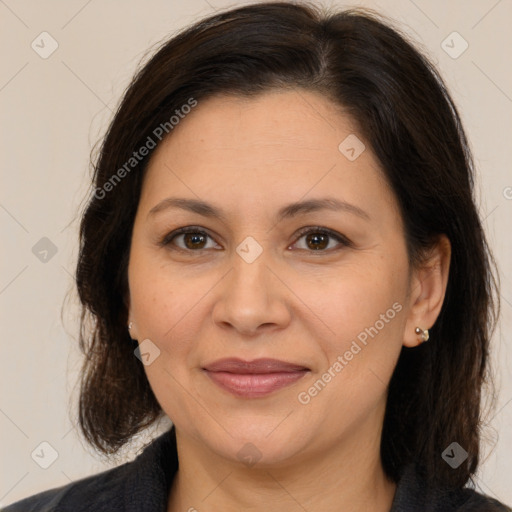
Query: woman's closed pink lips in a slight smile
x=253, y=379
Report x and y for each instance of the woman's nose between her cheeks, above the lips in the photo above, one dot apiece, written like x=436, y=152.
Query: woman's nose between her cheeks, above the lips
x=252, y=298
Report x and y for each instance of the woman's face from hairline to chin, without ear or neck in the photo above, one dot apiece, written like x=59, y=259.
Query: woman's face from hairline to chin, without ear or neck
x=250, y=283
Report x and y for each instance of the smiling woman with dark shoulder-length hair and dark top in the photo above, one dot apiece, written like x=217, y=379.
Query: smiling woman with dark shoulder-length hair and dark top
x=283, y=224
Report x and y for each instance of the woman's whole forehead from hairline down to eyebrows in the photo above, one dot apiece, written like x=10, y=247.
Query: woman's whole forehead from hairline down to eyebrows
x=248, y=150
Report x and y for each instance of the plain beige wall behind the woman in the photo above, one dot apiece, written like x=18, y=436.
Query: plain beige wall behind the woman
x=54, y=110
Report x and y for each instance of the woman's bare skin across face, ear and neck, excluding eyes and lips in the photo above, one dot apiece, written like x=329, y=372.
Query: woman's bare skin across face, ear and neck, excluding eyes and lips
x=250, y=157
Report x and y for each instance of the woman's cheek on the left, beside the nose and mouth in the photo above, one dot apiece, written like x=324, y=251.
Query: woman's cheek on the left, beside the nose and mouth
x=170, y=306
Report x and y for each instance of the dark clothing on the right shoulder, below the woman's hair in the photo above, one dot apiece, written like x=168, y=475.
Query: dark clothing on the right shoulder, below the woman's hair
x=413, y=494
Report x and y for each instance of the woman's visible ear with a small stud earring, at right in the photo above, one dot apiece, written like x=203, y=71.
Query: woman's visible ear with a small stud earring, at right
x=427, y=289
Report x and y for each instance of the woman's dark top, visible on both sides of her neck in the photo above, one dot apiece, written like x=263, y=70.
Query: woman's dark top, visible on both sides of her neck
x=143, y=486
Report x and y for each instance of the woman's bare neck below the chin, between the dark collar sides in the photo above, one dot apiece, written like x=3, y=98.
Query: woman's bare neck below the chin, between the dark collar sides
x=349, y=477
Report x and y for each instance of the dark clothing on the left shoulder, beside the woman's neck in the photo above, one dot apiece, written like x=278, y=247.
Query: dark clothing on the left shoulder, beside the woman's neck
x=141, y=484
